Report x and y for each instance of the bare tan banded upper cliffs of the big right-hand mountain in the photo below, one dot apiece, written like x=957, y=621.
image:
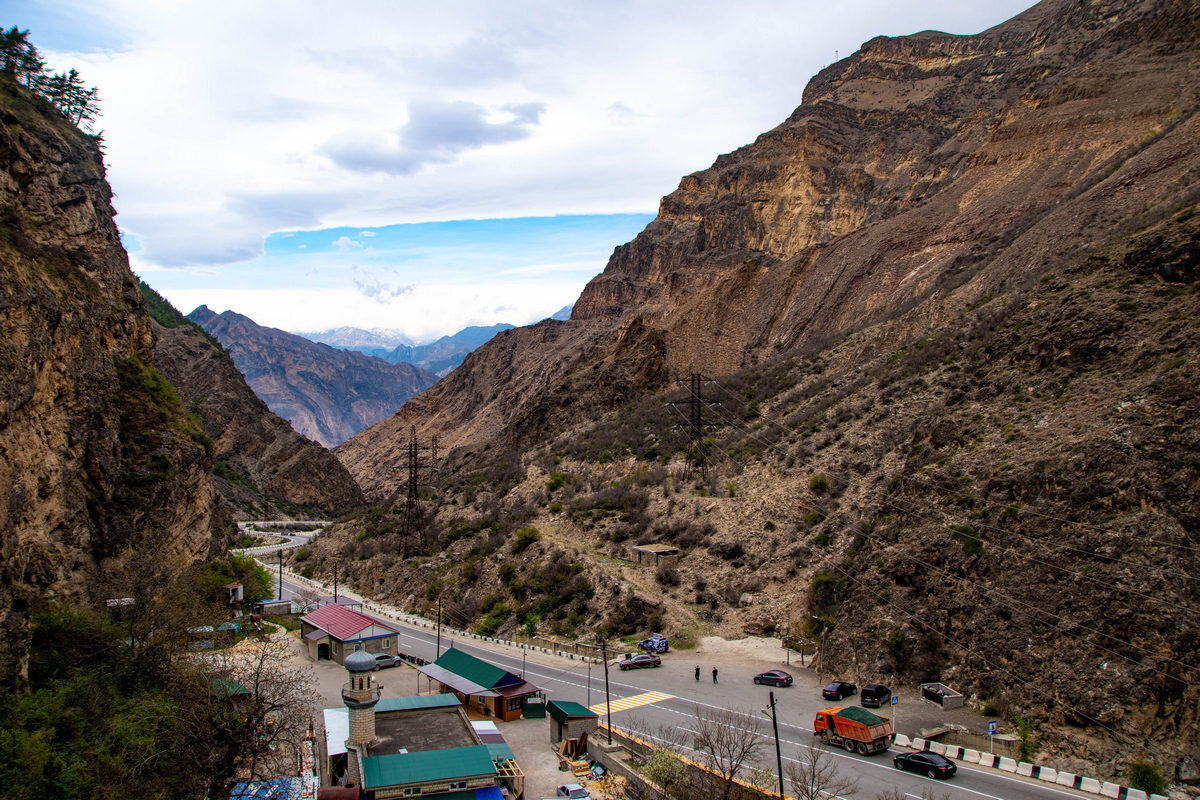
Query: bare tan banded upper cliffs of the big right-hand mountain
x=913, y=166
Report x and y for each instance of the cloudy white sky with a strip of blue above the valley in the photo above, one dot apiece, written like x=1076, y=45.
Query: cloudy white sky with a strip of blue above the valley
x=423, y=167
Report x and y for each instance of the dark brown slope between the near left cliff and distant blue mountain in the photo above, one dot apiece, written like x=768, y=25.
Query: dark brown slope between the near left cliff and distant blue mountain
x=261, y=460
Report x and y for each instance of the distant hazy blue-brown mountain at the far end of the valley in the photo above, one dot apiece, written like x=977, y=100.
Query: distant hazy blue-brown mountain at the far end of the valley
x=328, y=395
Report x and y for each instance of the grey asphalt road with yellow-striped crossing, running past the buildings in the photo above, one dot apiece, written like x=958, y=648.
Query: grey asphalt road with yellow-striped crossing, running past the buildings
x=669, y=699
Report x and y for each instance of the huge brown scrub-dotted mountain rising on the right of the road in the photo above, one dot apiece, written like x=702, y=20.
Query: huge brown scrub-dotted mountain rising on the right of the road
x=945, y=418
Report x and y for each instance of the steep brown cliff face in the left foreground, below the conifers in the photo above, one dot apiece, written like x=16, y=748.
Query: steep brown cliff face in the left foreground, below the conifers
x=97, y=453
